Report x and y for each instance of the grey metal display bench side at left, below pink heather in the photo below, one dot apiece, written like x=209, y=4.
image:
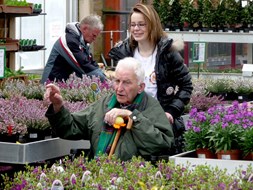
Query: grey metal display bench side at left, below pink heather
x=37, y=151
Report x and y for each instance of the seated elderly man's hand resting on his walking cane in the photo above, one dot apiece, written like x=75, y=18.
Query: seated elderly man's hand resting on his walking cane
x=110, y=116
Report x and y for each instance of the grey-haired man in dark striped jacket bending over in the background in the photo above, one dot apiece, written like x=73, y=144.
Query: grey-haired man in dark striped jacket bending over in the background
x=71, y=52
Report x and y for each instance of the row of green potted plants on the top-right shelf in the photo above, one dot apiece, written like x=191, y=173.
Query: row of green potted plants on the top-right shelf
x=218, y=15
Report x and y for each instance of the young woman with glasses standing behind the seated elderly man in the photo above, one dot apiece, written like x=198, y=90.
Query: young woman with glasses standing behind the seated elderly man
x=166, y=76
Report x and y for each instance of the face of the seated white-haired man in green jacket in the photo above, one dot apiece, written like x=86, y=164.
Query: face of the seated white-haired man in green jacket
x=126, y=85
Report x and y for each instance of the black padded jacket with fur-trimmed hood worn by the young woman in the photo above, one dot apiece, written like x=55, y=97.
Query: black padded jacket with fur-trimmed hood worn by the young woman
x=174, y=84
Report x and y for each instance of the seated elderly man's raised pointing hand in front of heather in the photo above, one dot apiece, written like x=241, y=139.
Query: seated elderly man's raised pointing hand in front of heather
x=53, y=95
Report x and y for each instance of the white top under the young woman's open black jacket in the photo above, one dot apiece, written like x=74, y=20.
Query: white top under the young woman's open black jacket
x=148, y=64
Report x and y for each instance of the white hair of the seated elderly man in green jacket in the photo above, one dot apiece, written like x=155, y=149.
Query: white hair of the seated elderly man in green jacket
x=133, y=64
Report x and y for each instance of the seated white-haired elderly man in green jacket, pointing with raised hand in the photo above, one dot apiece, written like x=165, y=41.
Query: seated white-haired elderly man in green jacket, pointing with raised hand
x=151, y=132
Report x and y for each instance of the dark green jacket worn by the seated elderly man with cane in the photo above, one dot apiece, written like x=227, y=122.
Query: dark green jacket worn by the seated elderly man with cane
x=150, y=134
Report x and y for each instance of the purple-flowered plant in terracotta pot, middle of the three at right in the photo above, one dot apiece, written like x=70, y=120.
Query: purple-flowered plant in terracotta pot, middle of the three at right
x=229, y=124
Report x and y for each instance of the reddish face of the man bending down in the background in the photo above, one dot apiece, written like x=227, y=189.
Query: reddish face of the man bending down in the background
x=89, y=34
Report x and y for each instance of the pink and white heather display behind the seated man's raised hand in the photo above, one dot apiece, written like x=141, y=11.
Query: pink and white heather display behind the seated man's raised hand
x=22, y=108
